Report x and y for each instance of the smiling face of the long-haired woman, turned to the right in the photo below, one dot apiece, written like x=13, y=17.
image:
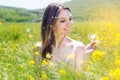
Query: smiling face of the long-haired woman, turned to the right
x=64, y=22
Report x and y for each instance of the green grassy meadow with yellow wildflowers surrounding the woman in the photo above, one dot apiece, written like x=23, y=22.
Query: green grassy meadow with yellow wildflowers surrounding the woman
x=17, y=44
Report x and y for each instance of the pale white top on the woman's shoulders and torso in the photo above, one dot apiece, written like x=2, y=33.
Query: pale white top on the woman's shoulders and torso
x=67, y=55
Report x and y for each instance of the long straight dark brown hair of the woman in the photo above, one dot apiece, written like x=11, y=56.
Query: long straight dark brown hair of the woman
x=47, y=33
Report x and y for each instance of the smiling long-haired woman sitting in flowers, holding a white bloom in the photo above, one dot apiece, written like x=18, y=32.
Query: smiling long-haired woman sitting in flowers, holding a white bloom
x=55, y=27
